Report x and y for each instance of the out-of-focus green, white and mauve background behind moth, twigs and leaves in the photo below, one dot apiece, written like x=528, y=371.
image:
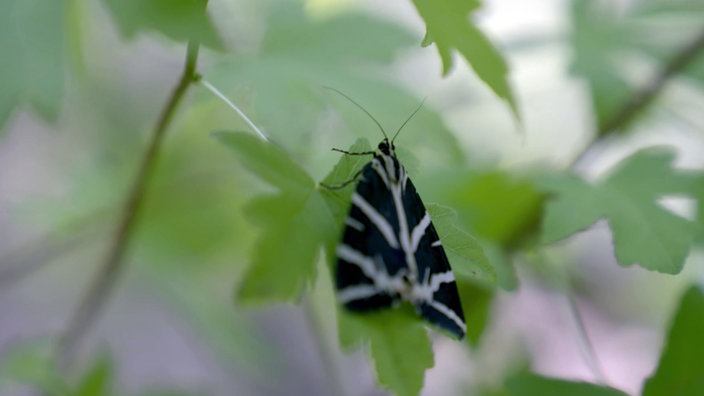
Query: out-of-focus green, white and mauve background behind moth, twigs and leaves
x=84, y=81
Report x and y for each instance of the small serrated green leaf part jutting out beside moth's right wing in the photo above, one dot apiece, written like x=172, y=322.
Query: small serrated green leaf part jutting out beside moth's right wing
x=464, y=252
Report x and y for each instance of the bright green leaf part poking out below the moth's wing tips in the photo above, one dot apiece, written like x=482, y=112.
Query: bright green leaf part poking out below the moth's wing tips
x=399, y=346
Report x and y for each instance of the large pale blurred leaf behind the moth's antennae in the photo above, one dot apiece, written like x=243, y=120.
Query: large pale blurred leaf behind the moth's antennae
x=281, y=86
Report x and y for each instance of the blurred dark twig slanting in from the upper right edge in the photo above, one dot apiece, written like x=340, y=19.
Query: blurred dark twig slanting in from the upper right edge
x=643, y=97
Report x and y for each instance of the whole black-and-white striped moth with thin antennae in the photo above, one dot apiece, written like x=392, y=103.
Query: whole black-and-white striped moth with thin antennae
x=390, y=251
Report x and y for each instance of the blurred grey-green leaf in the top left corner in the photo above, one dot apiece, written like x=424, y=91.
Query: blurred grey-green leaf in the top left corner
x=32, y=66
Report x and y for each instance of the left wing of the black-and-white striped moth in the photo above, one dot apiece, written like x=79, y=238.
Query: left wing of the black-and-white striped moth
x=363, y=240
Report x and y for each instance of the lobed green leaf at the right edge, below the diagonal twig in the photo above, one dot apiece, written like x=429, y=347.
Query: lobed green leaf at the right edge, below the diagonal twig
x=644, y=232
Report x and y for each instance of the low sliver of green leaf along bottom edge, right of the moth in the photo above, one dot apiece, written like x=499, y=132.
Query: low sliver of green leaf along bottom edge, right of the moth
x=534, y=385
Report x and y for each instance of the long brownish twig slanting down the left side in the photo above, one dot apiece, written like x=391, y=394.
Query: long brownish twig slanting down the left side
x=96, y=295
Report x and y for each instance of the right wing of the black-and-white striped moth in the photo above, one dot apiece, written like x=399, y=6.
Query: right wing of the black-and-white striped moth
x=445, y=309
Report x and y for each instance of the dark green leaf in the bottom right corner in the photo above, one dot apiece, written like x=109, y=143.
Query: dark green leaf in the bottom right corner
x=680, y=371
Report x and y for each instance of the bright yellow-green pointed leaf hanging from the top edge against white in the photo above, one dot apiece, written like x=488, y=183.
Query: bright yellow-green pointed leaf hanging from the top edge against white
x=449, y=27
